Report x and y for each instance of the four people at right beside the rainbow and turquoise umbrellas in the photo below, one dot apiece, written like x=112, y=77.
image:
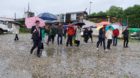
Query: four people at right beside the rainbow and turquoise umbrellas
x=111, y=36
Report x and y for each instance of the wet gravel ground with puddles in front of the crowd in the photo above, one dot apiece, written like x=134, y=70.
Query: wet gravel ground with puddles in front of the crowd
x=67, y=62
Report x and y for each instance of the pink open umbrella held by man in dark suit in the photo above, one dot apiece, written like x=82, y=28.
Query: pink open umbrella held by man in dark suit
x=29, y=22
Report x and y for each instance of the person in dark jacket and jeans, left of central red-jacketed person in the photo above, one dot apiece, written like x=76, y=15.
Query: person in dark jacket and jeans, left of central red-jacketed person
x=60, y=33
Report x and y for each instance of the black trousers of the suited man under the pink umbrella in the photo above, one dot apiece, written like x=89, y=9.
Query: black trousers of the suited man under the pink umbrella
x=36, y=44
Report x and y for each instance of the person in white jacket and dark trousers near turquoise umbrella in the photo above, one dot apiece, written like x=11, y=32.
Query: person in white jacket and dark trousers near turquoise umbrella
x=109, y=36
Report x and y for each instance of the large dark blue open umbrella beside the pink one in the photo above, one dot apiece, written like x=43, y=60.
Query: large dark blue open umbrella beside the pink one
x=47, y=16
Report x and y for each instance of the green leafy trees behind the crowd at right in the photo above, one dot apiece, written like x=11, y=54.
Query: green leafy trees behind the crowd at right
x=130, y=16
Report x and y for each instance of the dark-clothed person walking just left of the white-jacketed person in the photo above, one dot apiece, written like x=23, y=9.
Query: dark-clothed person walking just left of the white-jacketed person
x=101, y=38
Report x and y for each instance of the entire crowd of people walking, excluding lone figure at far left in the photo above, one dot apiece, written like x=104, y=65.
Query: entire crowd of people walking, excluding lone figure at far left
x=73, y=35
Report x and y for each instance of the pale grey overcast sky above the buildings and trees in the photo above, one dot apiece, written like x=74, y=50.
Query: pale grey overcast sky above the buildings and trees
x=9, y=7
